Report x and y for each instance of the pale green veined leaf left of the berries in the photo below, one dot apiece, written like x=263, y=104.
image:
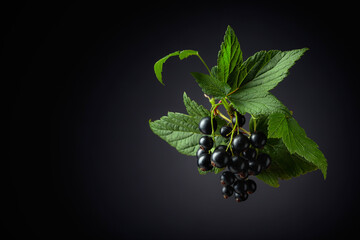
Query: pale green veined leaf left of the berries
x=180, y=131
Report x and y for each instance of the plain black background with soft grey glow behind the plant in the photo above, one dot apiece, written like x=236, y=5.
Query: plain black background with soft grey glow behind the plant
x=79, y=90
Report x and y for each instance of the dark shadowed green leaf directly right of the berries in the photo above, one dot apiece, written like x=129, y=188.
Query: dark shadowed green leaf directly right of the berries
x=284, y=165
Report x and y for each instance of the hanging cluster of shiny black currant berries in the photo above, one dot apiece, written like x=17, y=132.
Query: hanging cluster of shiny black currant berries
x=241, y=160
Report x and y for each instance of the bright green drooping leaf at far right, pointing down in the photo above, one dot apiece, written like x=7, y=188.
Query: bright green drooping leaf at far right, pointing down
x=295, y=139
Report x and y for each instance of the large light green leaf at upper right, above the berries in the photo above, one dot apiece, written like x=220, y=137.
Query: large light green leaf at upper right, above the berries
x=261, y=73
